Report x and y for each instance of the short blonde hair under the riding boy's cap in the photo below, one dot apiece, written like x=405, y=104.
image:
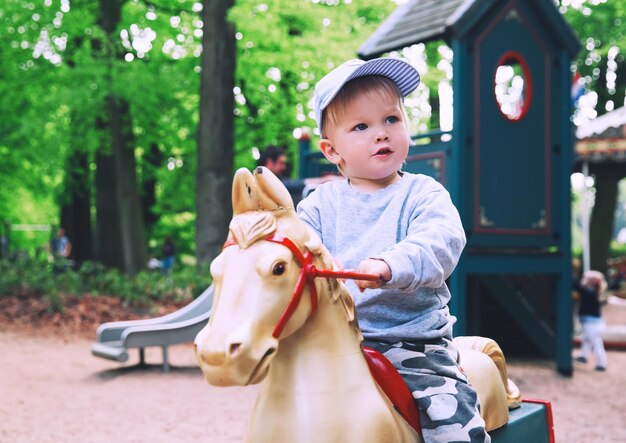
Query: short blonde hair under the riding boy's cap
x=375, y=86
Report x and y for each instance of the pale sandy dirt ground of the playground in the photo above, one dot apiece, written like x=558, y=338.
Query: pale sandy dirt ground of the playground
x=53, y=390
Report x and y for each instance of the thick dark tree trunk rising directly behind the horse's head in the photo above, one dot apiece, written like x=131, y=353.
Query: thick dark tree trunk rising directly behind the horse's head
x=215, y=135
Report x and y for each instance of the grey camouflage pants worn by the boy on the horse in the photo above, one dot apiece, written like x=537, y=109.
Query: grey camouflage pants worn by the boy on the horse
x=448, y=405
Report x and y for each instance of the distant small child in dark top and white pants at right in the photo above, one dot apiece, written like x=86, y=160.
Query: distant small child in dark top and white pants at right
x=590, y=290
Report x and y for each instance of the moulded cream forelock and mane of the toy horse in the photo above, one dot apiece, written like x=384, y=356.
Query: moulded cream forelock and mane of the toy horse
x=249, y=227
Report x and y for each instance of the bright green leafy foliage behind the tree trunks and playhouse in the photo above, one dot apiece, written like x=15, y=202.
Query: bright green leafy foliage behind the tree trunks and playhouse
x=53, y=83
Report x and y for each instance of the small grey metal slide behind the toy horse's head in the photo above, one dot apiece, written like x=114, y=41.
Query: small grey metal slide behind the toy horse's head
x=113, y=339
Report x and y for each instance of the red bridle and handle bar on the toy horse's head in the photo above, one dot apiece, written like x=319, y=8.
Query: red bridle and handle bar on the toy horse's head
x=307, y=274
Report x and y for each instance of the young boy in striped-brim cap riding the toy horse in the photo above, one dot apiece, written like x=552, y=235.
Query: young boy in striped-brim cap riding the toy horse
x=400, y=226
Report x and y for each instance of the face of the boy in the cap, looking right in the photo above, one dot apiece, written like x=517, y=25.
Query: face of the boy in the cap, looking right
x=371, y=140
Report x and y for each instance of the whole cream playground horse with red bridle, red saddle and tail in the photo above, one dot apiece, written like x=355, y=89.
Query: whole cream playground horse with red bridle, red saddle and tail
x=283, y=318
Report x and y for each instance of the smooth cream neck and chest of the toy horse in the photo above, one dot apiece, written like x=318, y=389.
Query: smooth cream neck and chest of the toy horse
x=320, y=390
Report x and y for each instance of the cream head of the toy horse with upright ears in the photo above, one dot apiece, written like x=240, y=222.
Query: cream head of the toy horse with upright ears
x=263, y=289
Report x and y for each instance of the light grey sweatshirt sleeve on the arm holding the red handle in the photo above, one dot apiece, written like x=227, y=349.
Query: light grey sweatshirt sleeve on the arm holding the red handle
x=432, y=247
